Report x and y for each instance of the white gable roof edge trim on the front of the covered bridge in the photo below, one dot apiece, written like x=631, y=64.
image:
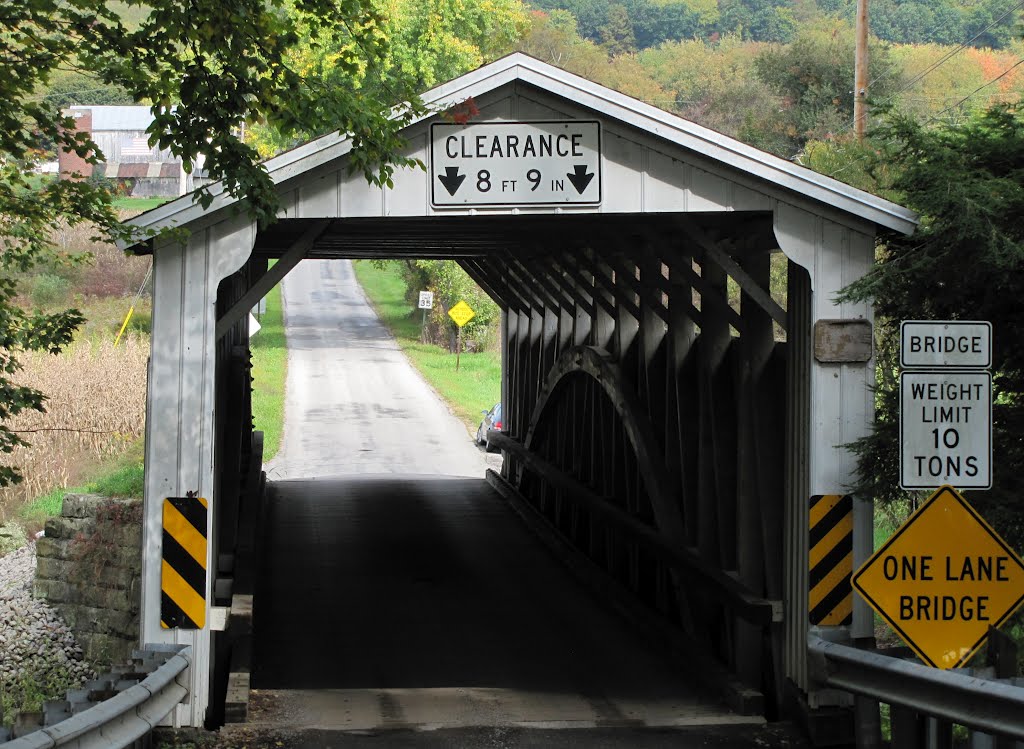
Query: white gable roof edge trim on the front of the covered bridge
x=603, y=101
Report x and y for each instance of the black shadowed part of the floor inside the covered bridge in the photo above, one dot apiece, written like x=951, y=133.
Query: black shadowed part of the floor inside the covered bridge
x=426, y=582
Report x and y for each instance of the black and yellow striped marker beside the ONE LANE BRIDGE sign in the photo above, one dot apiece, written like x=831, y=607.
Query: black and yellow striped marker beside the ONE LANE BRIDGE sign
x=832, y=560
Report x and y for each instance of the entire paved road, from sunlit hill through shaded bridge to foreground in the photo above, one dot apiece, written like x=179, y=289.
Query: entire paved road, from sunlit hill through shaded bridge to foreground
x=403, y=604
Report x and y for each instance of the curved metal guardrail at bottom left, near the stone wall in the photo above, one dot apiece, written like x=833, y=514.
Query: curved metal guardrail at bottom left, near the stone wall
x=117, y=723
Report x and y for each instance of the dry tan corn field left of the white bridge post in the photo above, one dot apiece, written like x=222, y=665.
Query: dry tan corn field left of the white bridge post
x=95, y=410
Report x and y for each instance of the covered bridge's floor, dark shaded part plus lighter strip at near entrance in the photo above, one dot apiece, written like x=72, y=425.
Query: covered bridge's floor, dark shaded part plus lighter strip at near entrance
x=424, y=603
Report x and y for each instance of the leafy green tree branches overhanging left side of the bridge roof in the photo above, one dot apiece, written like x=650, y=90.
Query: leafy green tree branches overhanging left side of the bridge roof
x=207, y=67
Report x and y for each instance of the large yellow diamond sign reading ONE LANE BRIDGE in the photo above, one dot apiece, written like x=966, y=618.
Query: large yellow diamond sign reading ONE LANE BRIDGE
x=944, y=579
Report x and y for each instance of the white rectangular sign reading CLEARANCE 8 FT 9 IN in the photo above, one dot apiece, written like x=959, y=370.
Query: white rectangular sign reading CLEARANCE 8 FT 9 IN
x=550, y=162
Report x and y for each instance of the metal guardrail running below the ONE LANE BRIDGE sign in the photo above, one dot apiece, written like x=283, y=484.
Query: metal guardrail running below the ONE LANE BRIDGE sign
x=993, y=706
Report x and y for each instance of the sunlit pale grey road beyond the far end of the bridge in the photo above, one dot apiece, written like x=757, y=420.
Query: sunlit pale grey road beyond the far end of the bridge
x=354, y=404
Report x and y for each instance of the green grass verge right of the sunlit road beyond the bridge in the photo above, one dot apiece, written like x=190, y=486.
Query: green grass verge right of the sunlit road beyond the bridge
x=475, y=388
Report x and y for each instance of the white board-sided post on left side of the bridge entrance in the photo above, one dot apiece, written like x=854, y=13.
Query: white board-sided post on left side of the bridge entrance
x=180, y=430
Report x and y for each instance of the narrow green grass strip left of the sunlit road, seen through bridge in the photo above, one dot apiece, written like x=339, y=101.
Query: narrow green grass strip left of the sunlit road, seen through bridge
x=270, y=369
